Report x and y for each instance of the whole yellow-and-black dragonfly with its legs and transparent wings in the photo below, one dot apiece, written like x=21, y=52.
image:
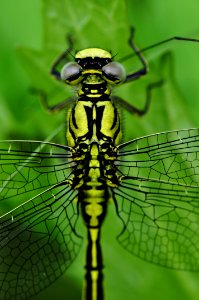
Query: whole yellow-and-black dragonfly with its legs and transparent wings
x=153, y=181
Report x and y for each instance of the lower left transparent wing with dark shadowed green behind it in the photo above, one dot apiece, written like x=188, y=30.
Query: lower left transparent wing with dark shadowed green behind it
x=38, y=242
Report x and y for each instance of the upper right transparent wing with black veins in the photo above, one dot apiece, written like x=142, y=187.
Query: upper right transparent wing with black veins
x=170, y=157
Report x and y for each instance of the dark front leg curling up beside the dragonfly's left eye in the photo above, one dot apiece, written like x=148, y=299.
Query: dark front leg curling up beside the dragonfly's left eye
x=62, y=59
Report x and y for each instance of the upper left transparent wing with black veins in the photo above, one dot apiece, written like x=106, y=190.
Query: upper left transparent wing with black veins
x=31, y=166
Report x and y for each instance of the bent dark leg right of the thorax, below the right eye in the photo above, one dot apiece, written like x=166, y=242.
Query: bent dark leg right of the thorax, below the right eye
x=134, y=110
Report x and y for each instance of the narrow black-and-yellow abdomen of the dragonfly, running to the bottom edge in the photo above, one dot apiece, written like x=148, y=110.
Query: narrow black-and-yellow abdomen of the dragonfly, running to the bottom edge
x=93, y=198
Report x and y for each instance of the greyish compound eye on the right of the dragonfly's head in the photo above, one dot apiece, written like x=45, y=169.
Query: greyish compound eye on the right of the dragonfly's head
x=114, y=71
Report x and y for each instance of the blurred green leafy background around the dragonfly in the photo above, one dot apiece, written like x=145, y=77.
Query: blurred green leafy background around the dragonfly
x=33, y=34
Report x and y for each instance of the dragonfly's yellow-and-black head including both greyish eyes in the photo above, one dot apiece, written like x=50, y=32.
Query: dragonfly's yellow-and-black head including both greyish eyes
x=93, y=66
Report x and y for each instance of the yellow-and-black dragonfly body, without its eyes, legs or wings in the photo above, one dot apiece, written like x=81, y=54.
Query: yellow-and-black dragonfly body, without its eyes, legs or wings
x=93, y=132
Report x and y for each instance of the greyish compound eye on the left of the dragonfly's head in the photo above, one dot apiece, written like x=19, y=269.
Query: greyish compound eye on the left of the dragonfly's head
x=70, y=71
